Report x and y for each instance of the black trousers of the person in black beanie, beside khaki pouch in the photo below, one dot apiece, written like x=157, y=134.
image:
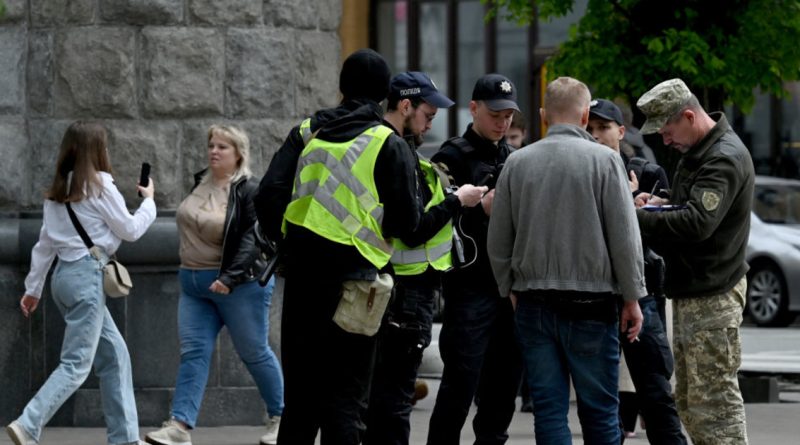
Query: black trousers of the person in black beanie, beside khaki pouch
x=327, y=371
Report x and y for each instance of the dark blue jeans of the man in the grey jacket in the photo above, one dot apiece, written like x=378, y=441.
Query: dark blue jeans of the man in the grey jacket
x=556, y=348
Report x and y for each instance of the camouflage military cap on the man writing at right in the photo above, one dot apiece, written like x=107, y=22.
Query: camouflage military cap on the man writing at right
x=661, y=103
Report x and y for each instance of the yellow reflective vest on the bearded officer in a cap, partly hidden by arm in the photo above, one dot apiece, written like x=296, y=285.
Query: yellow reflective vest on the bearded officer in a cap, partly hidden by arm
x=436, y=251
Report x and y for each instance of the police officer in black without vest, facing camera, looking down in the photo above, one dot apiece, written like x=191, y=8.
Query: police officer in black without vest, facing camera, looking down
x=477, y=341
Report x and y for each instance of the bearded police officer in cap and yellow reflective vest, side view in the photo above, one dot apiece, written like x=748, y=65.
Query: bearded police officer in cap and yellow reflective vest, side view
x=418, y=260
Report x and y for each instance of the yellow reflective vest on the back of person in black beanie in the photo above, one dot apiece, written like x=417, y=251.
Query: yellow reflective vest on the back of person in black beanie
x=334, y=192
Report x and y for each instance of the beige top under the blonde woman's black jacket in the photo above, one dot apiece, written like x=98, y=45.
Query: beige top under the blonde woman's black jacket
x=201, y=221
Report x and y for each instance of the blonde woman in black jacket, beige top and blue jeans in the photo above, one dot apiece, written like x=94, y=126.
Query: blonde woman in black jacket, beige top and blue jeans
x=218, y=286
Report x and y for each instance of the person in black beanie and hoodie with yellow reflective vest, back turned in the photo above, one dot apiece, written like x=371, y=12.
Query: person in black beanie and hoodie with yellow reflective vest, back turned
x=327, y=370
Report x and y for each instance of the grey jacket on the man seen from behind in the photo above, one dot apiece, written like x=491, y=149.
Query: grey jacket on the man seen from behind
x=563, y=219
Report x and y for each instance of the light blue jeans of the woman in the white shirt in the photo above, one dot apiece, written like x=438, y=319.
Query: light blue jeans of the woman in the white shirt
x=90, y=337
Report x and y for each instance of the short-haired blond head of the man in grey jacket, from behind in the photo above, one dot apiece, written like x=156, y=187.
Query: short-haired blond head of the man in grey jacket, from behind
x=566, y=99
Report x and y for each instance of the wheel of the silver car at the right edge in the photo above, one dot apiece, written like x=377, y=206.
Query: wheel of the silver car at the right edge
x=767, y=297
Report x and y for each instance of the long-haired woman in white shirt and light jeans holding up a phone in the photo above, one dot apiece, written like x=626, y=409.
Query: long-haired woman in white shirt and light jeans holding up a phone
x=83, y=179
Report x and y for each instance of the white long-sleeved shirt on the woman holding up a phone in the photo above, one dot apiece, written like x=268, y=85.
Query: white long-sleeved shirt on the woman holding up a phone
x=106, y=220
